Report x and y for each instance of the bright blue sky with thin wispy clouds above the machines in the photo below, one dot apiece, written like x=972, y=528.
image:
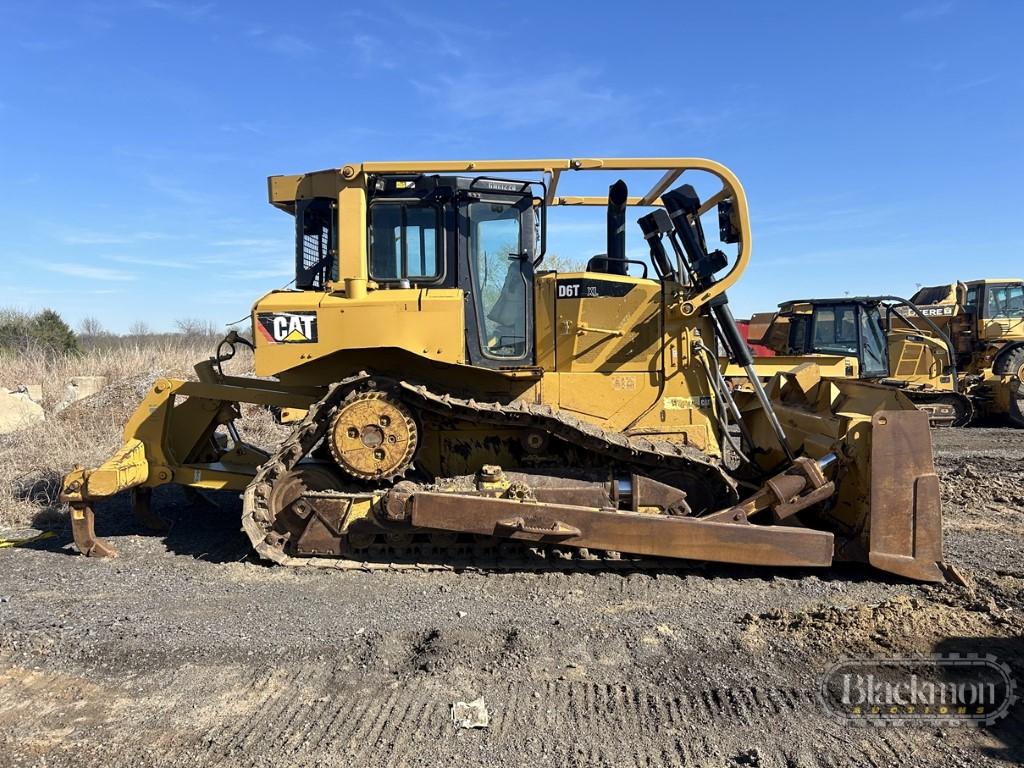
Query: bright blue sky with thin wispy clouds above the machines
x=880, y=143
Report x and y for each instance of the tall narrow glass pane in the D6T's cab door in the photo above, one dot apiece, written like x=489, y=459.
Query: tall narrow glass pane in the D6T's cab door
x=500, y=285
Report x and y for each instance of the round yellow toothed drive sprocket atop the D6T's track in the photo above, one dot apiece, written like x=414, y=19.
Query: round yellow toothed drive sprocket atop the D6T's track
x=373, y=437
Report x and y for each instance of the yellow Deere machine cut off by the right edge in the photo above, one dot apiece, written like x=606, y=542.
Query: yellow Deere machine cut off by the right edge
x=985, y=319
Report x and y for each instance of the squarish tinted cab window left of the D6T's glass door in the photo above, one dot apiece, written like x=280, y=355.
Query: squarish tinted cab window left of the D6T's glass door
x=405, y=243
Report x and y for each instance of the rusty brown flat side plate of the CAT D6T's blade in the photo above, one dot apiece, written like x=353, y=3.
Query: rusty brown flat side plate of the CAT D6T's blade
x=907, y=513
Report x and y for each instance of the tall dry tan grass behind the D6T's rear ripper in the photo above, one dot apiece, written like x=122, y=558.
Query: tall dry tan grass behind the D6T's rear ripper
x=32, y=461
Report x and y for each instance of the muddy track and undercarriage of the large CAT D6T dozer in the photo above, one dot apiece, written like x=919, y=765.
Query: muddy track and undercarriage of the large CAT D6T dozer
x=295, y=514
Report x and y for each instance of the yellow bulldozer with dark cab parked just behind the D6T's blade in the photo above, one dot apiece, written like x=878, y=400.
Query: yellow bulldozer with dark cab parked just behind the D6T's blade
x=884, y=339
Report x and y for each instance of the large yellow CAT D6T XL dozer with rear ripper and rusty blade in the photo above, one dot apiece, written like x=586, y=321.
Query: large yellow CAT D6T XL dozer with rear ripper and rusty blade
x=457, y=405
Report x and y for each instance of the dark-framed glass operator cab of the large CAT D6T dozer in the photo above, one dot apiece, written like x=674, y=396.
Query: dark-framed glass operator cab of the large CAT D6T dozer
x=479, y=235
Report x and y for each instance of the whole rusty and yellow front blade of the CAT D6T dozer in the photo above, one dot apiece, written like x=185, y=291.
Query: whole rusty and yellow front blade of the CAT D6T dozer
x=887, y=509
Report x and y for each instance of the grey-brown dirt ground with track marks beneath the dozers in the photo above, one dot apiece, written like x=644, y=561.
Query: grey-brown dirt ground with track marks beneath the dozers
x=183, y=652
